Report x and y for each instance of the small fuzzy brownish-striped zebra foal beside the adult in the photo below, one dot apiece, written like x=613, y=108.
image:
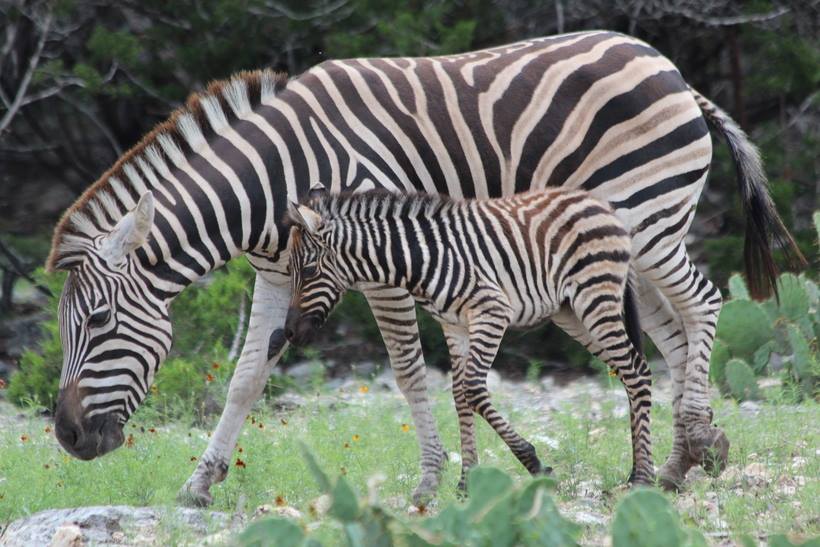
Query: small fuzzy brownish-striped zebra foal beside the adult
x=480, y=267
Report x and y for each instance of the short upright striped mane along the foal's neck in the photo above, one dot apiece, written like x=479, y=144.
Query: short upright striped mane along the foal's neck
x=380, y=204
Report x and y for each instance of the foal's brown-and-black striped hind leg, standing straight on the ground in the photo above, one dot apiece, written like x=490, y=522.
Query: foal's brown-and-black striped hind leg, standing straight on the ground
x=621, y=356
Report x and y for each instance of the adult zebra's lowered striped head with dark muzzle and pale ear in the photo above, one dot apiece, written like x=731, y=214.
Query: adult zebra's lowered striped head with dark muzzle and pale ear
x=114, y=337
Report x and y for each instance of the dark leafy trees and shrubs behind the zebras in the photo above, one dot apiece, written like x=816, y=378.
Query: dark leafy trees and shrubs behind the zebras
x=92, y=77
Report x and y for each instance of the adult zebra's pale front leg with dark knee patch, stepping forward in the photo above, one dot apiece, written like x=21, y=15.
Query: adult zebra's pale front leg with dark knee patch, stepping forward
x=264, y=344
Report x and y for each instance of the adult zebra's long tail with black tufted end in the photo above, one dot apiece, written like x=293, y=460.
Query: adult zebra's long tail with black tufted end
x=763, y=223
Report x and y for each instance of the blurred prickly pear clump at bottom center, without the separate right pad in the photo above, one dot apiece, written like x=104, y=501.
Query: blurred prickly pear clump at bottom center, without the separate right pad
x=498, y=512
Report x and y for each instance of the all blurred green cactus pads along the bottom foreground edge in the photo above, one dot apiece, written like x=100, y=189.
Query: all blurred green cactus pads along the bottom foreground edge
x=497, y=512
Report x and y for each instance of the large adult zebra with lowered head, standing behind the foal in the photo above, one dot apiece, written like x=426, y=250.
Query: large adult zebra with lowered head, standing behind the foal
x=596, y=110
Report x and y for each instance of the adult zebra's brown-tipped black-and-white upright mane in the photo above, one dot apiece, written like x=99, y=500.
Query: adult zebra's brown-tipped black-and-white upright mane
x=187, y=128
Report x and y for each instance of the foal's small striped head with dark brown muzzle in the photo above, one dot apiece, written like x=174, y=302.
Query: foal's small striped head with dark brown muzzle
x=316, y=279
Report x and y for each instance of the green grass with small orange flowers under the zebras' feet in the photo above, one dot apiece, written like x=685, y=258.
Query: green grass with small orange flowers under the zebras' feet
x=364, y=436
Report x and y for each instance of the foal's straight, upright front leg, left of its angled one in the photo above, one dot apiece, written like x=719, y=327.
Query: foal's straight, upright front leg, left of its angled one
x=458, y=342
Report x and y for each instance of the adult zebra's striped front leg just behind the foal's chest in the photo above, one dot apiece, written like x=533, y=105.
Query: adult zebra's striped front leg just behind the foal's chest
x=395, y=314
